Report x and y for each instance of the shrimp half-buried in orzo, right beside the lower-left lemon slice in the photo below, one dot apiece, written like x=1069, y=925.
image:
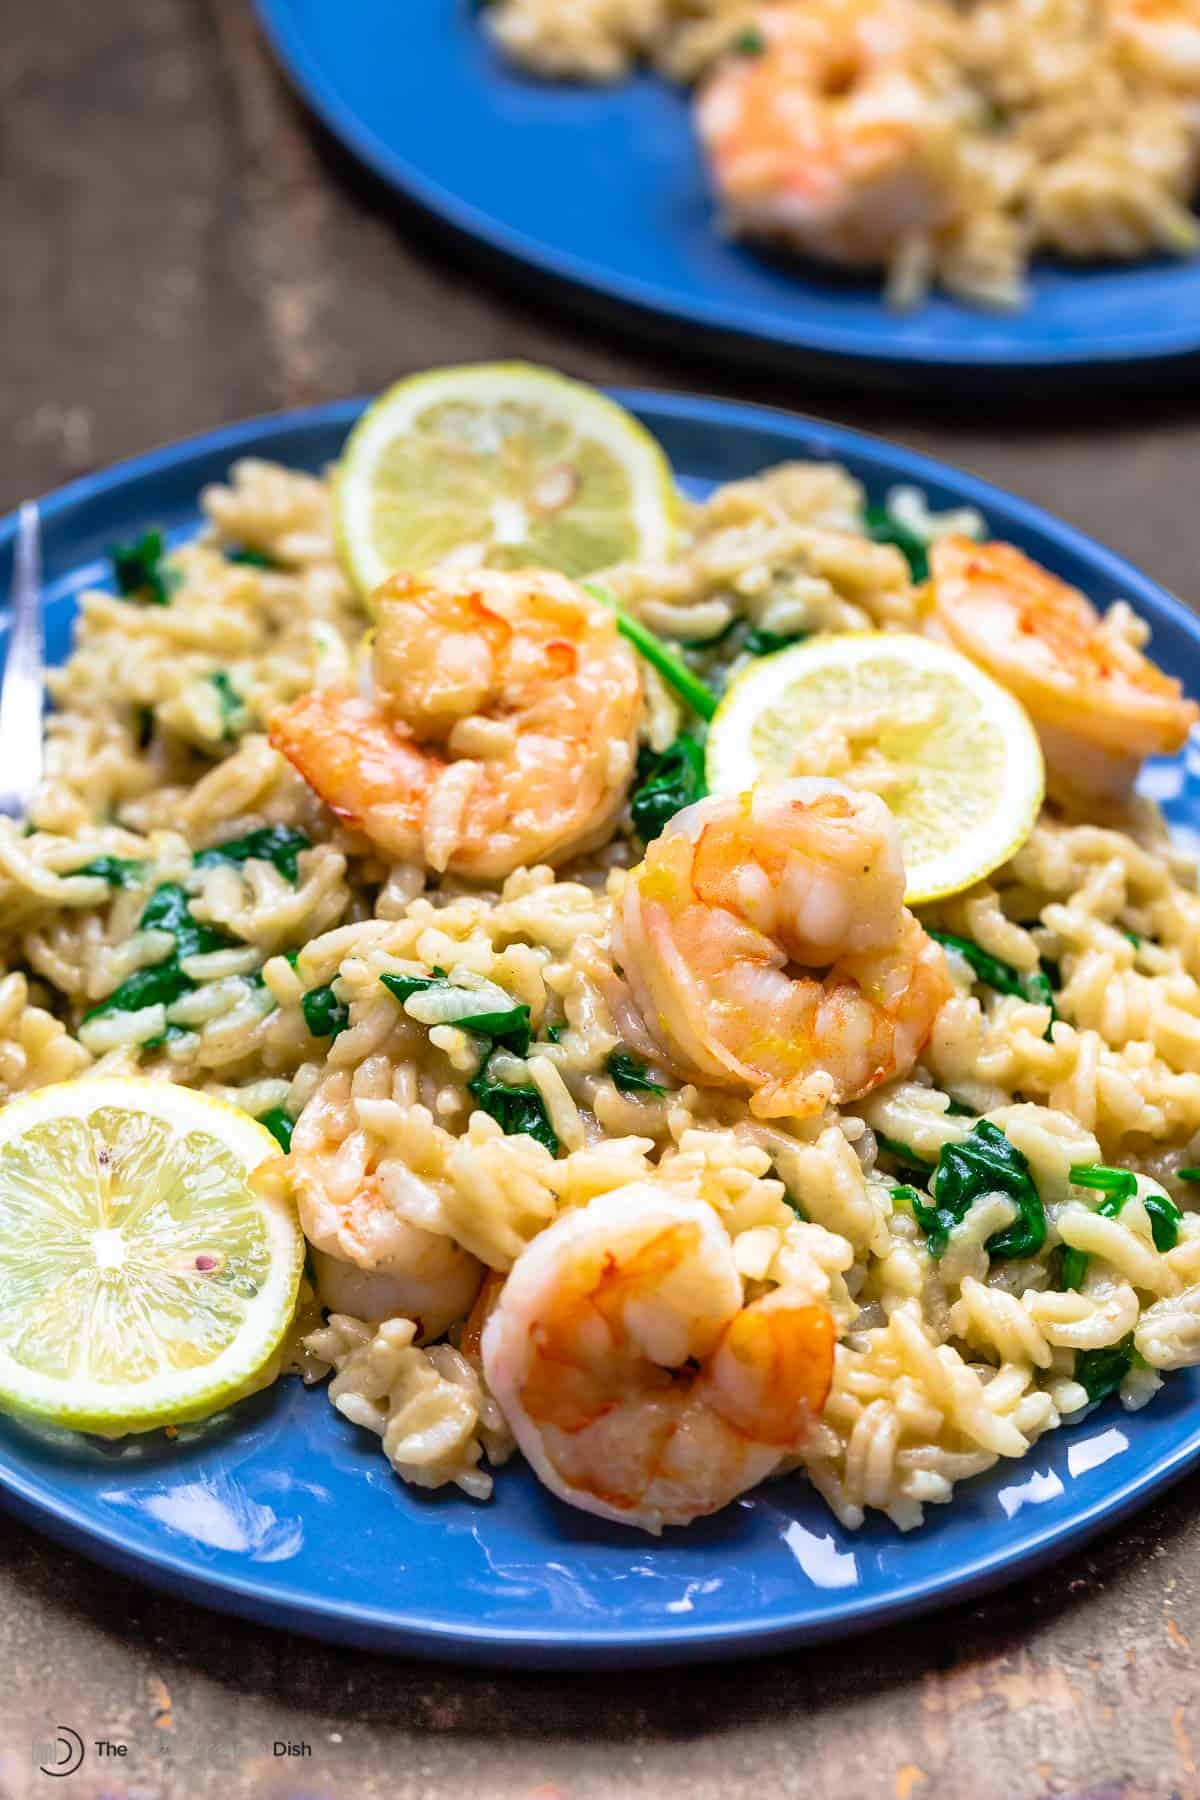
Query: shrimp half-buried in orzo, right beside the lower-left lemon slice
x=377, y=1264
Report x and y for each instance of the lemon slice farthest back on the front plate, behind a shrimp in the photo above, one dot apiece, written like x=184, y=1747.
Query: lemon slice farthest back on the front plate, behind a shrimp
x=503, y=465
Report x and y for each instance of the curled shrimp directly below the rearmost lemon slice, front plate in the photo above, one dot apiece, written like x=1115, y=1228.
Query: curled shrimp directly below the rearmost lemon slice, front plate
x=501, y=732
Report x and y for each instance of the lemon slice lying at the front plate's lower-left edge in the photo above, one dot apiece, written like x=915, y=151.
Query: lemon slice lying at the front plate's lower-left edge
x=143, y=1282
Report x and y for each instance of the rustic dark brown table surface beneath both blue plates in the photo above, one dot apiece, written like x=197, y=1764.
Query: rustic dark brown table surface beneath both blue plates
x=181, y=247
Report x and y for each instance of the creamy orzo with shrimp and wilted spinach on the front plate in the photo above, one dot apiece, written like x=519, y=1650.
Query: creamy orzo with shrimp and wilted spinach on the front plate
x=676, y=1151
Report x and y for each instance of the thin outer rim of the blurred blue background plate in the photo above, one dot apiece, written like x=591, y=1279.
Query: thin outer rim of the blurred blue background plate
x=280, y=22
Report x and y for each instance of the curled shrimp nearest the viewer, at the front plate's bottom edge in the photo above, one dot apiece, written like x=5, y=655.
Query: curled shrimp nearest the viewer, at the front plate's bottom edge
x=634, y=1378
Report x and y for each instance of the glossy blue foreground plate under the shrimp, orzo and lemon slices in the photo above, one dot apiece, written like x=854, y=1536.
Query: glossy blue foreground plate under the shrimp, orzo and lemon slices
x=289, y=1515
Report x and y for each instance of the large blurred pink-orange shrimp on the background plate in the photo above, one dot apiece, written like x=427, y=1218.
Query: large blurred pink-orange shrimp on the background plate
x=832, y=138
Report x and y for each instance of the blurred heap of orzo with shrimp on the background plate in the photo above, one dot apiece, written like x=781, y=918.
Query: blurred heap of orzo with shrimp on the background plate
x=940, y=141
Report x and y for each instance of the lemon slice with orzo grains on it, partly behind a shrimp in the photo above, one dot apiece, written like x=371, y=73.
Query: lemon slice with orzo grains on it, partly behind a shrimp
x=954, y=755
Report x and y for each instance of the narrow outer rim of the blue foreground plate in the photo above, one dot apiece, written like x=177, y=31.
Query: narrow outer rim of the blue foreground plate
x=395, y=1630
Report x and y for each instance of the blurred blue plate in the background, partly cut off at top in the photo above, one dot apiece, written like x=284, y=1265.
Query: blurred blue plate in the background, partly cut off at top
x=604, y=190
